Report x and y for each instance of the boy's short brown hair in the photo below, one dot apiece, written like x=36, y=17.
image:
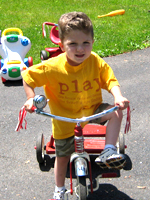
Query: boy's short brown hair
x=74, y=21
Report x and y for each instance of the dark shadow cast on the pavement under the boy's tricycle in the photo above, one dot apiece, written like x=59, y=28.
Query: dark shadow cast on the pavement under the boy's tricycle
x=105, y=191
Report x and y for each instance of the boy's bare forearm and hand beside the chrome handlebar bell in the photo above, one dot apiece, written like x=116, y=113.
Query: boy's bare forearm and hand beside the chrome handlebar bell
x=30, y=95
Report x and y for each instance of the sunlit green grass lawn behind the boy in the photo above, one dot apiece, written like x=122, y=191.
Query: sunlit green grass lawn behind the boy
x=113, y=35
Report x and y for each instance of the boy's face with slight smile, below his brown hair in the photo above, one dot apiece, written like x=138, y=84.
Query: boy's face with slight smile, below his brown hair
x=77, y=46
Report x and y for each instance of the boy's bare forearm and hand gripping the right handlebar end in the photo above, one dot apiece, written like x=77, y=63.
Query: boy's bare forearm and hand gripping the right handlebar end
x=119, y=99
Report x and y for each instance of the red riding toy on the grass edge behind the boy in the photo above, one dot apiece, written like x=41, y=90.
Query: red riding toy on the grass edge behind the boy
x=52, y=51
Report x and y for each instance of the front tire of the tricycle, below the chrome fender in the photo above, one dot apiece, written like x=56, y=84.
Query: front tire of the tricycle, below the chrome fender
x=82, y=189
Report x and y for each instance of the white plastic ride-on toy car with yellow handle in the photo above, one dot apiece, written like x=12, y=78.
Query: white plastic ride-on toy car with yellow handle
x=13, y=48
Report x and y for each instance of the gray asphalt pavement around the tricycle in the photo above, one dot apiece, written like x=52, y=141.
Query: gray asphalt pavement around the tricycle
x=20, y=175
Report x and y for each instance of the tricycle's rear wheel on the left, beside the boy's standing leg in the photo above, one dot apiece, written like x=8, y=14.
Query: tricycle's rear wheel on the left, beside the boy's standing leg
x=40, y=149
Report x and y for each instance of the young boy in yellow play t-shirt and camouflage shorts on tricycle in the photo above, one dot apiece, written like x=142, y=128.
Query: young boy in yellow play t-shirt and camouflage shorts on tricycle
x=73, y=82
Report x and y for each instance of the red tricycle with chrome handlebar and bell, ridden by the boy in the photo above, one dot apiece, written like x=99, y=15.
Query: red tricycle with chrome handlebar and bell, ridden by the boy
x=89, y=141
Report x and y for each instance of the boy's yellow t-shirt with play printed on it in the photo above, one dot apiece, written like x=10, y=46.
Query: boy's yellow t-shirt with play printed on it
x=74, y=91
